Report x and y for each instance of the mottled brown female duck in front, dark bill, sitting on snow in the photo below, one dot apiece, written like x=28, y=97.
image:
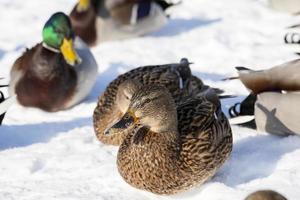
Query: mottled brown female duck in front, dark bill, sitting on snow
x=170, y=148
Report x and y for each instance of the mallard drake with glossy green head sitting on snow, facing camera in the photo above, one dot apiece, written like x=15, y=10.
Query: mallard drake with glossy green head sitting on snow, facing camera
x=56, y=73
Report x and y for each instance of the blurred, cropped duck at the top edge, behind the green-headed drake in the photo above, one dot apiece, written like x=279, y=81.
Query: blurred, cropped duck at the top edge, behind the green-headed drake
x=103, y=20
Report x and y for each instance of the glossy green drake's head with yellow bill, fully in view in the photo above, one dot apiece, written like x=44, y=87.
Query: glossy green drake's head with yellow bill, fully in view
x=58, y=36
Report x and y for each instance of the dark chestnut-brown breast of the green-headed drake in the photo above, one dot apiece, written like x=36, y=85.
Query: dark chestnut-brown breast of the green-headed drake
x=47, y=81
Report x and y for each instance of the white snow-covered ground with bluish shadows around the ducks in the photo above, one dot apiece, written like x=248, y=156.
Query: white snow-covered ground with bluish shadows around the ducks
x=56, y=155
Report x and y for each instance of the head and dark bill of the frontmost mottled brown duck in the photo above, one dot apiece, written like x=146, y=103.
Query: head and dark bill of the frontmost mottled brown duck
x=152, y=107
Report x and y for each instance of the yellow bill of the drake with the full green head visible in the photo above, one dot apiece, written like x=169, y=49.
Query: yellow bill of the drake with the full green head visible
x=69, y=53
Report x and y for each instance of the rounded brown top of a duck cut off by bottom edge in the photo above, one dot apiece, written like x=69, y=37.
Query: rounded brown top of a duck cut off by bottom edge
x=265, y=195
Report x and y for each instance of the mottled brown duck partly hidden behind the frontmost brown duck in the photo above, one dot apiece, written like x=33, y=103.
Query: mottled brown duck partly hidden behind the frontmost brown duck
x=114, y=101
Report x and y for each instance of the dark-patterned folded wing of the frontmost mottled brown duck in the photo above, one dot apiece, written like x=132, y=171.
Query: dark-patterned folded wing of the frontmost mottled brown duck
x=206, y=137
